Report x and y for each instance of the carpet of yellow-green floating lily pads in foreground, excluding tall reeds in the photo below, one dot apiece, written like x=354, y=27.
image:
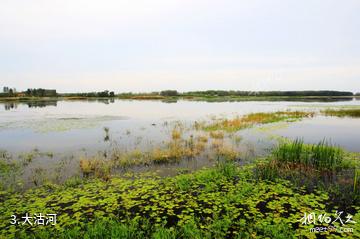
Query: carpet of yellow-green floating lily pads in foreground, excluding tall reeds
x=223, y=202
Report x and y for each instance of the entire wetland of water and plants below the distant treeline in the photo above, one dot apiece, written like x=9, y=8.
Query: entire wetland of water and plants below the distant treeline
x=178, y=169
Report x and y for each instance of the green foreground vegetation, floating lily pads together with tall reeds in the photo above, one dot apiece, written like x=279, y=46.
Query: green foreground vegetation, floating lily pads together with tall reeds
x=263, y=199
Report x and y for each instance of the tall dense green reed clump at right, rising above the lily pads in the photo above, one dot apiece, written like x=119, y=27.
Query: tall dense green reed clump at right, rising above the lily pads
x=315, y=167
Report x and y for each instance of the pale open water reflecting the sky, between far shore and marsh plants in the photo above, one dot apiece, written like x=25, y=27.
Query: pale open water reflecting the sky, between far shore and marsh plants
x=72, y=126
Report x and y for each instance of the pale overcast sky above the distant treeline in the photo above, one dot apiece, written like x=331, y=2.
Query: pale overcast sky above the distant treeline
x=143, y=45
